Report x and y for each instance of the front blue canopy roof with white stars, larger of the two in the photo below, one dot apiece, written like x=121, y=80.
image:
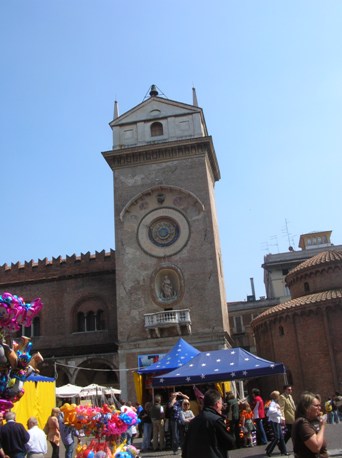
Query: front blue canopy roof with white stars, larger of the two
x=217, y=366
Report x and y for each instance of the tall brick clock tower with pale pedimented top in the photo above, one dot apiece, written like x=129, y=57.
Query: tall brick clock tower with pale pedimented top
x=169, y=278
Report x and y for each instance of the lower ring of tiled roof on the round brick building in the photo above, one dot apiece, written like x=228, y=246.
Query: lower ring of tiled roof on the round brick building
x=311, y=299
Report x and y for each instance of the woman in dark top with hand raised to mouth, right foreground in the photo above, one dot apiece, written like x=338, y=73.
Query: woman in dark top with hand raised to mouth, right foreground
x=309, y=428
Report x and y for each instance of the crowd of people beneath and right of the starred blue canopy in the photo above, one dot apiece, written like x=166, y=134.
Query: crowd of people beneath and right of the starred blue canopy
x=225, y=423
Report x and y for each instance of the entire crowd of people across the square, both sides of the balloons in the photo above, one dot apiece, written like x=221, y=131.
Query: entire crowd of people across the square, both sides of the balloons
x=219, y=425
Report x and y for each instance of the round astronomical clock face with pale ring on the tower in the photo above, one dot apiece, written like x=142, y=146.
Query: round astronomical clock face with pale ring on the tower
x=163, y=232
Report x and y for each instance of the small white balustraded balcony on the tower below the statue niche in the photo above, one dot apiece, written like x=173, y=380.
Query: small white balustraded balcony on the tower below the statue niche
x=166, y=319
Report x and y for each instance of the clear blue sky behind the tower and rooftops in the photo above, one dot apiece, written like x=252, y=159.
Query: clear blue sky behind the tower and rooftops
x=268, y=76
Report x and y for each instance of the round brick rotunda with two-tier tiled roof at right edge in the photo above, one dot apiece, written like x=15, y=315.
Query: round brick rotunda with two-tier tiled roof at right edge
x=305, y=332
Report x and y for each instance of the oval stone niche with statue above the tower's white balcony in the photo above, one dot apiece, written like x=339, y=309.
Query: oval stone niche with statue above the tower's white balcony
x=167, y=286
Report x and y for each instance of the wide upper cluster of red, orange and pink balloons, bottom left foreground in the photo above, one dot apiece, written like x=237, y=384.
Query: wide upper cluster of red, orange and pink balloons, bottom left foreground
x=101, y=422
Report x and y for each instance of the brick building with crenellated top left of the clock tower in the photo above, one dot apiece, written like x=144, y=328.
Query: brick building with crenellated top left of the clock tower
x=66, y=287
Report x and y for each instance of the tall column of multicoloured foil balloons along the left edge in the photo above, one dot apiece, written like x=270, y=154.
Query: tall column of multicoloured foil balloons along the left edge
x=16, y=361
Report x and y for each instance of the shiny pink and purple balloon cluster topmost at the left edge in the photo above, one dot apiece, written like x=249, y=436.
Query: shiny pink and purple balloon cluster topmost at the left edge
x=14, y=312
